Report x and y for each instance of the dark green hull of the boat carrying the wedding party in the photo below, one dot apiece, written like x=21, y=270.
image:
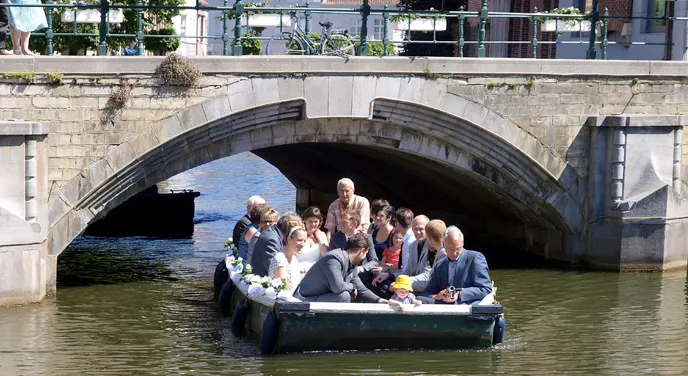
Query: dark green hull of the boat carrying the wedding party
x=302, y=329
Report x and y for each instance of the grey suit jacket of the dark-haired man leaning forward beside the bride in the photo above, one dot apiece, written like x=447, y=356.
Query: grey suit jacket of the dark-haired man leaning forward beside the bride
x=333, y=273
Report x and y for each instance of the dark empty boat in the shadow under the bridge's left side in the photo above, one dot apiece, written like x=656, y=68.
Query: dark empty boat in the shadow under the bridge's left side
x=150, y=213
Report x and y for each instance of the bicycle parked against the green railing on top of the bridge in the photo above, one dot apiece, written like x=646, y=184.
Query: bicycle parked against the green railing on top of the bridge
x=332, y=42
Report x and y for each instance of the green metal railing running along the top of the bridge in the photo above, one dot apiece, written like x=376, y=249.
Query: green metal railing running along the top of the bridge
x=238, y=10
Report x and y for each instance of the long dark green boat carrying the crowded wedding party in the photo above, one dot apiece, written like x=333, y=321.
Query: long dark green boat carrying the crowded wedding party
x=295, y=326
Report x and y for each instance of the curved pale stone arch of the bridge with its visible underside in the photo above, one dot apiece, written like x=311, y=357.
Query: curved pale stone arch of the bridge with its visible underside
x=410, y=116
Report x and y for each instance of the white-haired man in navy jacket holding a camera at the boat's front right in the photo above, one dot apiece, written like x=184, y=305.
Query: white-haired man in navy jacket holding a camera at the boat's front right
x=461, y=277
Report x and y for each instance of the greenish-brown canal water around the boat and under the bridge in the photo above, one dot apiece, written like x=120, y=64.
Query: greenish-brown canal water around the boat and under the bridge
x=138, y=306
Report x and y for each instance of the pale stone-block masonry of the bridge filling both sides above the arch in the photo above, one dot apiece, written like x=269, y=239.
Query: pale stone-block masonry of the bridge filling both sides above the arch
x=553, y=108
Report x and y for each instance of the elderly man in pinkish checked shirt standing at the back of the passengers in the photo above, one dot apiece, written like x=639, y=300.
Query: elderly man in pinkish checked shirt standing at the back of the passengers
x=347, y=201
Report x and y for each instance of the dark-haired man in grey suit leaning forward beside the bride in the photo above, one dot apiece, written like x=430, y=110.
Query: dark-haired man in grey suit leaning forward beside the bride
x=333, y=278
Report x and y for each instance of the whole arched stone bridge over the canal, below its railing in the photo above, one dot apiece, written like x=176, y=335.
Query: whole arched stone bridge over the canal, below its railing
x=576, y=161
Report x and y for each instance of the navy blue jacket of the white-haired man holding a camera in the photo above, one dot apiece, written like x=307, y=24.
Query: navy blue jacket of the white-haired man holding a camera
x=471, y=275
